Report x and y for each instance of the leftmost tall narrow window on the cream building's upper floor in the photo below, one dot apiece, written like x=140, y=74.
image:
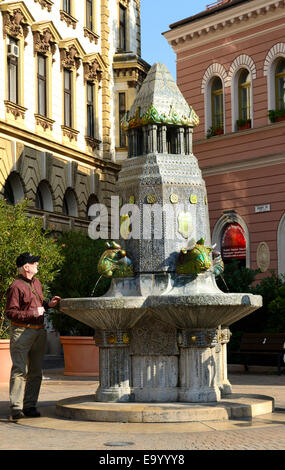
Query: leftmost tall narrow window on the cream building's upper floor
x=13, y=72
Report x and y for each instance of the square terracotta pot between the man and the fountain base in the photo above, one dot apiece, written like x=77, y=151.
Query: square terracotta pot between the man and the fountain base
x=81, y=356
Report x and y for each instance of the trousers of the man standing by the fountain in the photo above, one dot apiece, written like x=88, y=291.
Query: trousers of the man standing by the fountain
x=27, y=349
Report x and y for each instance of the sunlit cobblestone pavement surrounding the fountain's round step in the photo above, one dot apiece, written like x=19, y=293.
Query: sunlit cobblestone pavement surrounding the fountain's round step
x=266, y=432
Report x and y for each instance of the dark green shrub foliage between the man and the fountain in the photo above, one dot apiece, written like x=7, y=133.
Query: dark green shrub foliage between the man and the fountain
x=78, y=277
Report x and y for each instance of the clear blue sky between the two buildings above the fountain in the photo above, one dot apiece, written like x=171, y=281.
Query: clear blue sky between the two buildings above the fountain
x=156, y=16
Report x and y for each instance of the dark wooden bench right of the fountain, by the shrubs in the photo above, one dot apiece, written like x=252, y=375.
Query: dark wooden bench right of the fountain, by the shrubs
x=262, y=344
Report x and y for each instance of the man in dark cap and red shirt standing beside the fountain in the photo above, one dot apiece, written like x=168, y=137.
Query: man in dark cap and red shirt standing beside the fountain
x=25, y=309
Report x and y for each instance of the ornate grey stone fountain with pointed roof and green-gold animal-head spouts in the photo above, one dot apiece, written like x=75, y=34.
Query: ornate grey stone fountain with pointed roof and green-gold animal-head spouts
x=163, y=326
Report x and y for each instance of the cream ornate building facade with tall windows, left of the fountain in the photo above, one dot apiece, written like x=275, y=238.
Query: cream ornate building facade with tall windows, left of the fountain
x=70, y=70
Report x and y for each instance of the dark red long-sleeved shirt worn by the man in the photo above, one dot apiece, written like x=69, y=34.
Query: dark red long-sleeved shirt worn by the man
x=21, y=301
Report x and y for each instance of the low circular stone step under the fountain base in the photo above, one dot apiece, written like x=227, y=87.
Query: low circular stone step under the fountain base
x=85, y=408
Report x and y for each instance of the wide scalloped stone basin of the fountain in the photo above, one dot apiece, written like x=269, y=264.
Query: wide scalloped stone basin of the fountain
x=181, y=311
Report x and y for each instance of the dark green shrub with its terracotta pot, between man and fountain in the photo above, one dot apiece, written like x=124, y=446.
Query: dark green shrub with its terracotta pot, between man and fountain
x=78, y=278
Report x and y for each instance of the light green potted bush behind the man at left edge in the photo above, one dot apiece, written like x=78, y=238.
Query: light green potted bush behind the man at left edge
x=20, y=233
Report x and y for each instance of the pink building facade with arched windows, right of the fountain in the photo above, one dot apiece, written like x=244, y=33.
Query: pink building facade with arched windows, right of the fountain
x=231, y=69
